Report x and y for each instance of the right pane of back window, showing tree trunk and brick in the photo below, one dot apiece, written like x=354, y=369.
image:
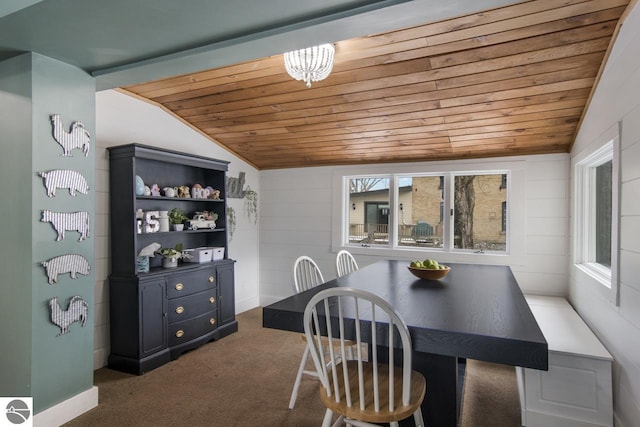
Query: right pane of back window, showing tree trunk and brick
x=480, y=212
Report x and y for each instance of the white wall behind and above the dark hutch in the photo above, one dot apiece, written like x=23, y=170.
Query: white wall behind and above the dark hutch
x=122, y=119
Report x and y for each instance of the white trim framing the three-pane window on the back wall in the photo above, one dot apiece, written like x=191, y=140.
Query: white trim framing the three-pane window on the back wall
x=516, y=222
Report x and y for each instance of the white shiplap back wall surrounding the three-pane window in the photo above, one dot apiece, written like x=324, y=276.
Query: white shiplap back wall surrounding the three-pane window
x=300, y=212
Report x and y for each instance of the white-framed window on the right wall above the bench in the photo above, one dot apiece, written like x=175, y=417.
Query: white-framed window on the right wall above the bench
x=595, y=210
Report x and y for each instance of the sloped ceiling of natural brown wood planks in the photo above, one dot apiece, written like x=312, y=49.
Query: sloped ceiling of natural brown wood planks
x=508, y=81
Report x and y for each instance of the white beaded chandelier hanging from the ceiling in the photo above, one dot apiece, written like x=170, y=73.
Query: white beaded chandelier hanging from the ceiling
x=311, y=64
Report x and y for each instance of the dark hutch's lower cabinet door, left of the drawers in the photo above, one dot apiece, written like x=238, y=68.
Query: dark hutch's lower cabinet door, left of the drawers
x=153, y=318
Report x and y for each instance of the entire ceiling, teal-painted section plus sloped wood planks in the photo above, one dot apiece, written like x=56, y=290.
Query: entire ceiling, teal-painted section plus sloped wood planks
x=413, y=80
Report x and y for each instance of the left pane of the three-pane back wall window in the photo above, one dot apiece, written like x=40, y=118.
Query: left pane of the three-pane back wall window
x=369, y=211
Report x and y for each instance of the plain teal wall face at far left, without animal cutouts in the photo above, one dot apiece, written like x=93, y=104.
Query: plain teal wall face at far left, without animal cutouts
x=16, y=227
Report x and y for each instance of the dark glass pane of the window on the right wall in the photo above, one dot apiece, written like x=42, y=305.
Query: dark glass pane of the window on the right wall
x=603, y=214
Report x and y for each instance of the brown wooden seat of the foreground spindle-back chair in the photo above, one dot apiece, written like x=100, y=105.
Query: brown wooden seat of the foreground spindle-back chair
x=418, y=390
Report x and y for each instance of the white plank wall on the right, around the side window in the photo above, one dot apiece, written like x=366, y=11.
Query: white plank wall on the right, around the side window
x=617, y=99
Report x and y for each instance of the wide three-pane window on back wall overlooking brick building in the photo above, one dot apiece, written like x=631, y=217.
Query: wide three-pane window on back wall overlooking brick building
x=442, y=211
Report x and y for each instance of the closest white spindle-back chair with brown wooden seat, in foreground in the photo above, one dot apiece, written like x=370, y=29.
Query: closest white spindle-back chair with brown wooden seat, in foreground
x=362, y=392
